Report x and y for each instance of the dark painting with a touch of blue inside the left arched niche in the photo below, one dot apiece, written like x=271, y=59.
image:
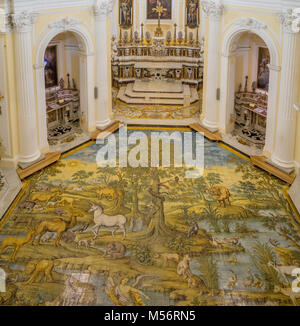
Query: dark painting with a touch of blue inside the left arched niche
x=50, y=61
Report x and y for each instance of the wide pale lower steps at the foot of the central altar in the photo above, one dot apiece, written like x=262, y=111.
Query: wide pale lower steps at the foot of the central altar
x=129, y=96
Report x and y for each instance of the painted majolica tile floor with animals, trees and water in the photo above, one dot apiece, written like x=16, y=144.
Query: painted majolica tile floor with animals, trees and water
x=78, y=234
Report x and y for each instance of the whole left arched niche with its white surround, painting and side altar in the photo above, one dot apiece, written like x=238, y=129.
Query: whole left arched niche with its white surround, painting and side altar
x=65, y=92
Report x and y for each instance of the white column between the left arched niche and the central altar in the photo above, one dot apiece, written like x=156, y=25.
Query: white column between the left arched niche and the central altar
x=103, y=63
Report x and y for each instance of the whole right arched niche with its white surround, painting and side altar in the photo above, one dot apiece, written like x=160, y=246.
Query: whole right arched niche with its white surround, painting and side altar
x=249, y=51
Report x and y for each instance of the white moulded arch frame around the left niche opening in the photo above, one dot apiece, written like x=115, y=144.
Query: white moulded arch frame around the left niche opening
x=87, y=67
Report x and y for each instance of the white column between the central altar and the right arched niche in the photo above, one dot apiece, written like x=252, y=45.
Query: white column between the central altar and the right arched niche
x=214, y=12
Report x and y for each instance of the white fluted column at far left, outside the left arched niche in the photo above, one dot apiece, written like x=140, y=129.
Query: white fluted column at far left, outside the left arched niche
x=28, y=136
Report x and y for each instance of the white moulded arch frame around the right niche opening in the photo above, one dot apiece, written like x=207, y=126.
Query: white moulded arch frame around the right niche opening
x=258, y=28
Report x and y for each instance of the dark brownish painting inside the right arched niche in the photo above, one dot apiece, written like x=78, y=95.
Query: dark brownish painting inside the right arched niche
x=263, y=74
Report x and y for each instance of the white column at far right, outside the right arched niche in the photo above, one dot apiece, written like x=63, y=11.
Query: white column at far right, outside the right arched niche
x=283, y=156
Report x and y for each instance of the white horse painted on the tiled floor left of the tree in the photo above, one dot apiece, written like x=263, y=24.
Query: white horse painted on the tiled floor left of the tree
x=101, y=219
